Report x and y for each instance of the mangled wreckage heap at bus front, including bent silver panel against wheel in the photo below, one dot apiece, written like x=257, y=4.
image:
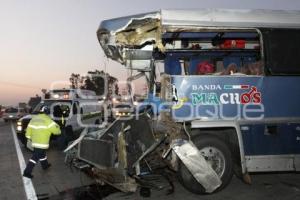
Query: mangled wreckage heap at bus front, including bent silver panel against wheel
x=129, y=152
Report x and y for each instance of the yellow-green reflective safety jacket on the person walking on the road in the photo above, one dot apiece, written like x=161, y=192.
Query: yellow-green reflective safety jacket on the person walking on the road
x=40, y=129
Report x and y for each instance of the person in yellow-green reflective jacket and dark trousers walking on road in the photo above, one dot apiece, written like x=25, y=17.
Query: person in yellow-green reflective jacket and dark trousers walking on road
x=39, y=131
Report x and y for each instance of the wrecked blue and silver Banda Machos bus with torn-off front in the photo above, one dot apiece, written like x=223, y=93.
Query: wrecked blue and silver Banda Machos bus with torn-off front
x=224, y=93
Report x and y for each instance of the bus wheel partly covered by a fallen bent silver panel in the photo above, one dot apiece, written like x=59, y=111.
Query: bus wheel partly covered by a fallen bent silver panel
x=217, y=154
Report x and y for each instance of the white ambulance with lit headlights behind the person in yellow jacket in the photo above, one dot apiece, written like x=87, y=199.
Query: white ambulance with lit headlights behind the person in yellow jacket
x=72, y=109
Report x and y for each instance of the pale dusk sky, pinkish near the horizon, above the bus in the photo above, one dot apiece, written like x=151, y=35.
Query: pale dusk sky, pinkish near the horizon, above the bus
x=43, y=41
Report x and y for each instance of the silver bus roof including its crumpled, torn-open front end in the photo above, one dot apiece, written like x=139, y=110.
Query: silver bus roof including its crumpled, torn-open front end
x=137, y=30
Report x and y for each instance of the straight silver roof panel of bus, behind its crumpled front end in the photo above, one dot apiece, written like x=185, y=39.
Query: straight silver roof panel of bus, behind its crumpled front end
x=231, y=18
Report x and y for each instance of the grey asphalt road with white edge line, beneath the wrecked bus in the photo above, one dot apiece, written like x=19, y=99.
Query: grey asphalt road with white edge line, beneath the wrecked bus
x=59, y=182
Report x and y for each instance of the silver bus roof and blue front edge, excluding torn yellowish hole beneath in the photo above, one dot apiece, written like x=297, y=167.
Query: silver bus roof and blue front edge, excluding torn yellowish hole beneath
x=212, y=17
